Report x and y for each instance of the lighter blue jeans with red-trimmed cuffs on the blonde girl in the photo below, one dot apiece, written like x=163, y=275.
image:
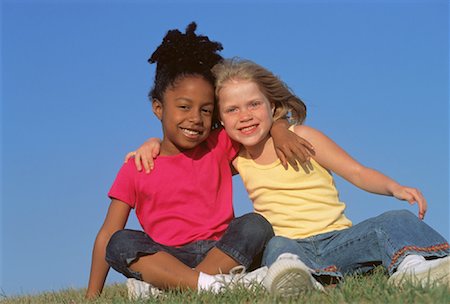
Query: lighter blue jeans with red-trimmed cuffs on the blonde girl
x=382, y=240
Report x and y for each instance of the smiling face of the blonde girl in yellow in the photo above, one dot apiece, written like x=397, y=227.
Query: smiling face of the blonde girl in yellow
x=245, y=112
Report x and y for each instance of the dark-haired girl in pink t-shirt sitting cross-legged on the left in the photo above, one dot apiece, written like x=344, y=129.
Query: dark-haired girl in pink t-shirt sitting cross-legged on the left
x=185, y=204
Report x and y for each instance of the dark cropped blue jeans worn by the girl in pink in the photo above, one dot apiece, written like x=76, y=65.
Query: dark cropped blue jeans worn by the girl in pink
x=244, y=239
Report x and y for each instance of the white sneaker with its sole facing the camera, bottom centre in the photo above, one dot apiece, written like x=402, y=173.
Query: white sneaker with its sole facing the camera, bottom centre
x=288, y=277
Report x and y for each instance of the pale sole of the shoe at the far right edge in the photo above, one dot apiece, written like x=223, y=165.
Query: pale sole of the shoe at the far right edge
x=436, y=275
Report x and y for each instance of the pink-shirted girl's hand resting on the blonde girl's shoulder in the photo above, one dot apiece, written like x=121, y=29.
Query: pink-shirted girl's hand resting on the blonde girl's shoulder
x=289, y=146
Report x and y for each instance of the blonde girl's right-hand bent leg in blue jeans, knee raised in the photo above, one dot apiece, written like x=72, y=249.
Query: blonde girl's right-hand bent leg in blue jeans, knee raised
x=385, y=239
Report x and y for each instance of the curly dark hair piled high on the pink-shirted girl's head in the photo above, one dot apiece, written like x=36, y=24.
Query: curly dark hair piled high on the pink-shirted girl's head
x=181, y=55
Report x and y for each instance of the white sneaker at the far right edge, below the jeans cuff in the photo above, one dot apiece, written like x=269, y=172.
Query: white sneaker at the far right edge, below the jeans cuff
x=425, y=272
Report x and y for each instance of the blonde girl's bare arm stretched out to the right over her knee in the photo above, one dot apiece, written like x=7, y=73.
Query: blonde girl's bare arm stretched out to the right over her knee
x=334, y=158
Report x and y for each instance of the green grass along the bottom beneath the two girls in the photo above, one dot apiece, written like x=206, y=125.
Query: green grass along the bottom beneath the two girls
x=356, y=289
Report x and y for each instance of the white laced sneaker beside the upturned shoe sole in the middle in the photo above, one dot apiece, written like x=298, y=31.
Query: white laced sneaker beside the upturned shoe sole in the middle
x=238, y=277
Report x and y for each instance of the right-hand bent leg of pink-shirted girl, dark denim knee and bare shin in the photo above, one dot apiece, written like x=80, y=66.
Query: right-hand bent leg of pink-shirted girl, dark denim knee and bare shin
x=244, y=239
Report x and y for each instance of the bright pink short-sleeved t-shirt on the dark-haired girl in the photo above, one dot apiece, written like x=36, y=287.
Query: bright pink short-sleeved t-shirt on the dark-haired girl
x=187, y=197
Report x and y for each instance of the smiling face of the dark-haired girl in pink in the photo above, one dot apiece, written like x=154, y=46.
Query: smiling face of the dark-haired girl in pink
x=185, y=113
